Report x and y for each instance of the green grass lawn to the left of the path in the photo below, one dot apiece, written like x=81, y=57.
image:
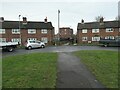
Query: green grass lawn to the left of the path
x=36, y=70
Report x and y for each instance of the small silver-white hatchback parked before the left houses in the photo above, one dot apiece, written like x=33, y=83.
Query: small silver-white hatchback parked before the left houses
x=30, y=44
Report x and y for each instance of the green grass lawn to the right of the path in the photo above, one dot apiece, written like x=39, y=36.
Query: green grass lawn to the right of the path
x=103, y=64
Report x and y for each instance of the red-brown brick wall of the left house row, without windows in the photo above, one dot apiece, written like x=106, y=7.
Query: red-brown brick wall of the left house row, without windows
x=24, y=35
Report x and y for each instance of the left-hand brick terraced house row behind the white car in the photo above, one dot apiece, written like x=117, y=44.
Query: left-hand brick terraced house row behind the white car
x=20, y=31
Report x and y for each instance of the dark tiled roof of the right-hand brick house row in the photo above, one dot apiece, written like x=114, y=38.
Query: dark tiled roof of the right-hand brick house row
x=107, y=24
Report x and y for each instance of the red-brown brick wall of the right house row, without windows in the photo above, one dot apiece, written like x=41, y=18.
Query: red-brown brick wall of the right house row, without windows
x=102, y=34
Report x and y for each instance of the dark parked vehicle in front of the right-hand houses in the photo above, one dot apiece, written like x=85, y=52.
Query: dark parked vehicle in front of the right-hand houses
x=110, y=42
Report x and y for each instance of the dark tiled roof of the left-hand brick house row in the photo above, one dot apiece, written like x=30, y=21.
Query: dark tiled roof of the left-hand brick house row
x=29, y=25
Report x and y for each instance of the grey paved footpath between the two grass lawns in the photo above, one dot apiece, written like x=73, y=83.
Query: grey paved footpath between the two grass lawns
x=73, y=74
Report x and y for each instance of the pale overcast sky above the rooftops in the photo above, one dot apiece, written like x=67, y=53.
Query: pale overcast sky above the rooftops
x=71, y=11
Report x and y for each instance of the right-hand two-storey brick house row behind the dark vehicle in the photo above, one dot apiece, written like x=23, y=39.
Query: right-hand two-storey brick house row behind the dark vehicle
x=92, y=32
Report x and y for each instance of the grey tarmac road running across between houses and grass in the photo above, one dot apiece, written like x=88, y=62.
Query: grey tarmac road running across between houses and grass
x=57, y=49
